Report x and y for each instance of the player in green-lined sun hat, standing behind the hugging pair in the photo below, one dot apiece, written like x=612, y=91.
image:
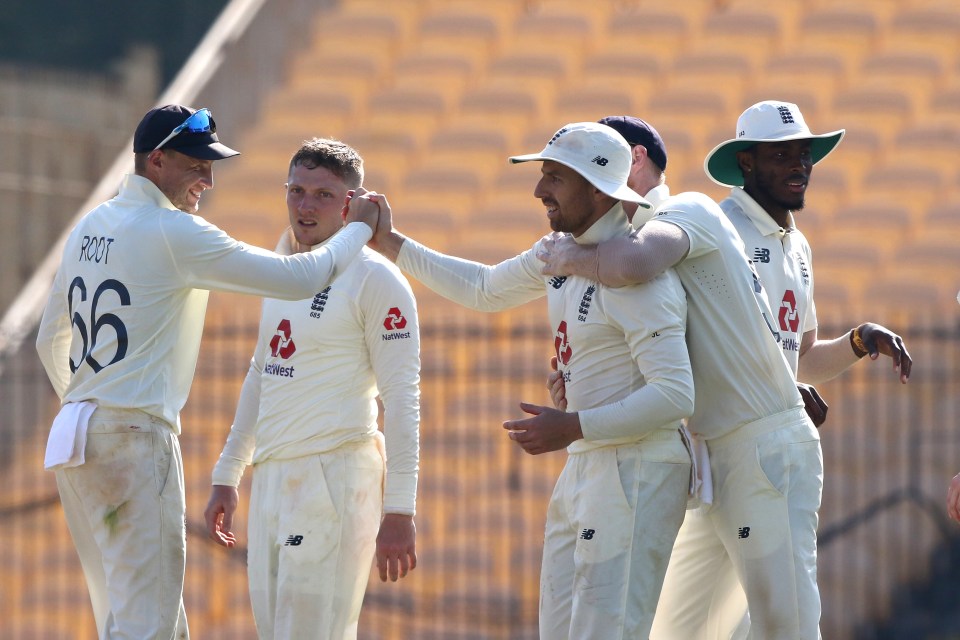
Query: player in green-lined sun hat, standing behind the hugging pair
x=768, y=164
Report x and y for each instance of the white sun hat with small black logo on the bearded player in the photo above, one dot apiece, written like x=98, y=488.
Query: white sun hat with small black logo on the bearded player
x=597, y=152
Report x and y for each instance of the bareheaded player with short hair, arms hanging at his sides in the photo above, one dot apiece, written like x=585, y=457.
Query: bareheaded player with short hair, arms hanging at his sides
x=307, y=420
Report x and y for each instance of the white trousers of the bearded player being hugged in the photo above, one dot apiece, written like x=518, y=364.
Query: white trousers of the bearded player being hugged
x=611, y=523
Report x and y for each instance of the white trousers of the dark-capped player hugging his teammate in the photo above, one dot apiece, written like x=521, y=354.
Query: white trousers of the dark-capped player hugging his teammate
x=760, y=532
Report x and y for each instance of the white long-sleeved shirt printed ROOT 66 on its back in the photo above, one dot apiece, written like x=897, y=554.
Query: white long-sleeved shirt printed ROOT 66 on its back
x=123, y=322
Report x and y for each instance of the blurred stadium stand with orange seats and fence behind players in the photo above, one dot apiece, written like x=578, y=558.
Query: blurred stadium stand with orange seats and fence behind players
x=436, y=94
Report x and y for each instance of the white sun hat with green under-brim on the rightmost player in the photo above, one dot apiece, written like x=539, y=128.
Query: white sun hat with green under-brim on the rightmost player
x=768, y=121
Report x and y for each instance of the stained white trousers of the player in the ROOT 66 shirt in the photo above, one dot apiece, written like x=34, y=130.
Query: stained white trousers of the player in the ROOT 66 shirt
x=126, y=512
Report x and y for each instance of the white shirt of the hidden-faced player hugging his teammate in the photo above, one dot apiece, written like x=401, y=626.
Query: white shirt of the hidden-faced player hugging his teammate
x=739, y=370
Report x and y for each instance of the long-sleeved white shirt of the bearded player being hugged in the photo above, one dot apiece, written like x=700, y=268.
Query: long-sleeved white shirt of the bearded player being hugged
x=622, y=350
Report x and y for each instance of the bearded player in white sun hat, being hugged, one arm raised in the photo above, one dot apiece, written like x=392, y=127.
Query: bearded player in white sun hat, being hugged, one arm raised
x=618, y=503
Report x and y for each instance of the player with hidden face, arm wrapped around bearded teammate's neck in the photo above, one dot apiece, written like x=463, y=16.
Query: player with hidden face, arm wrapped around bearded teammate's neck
x=764, y=450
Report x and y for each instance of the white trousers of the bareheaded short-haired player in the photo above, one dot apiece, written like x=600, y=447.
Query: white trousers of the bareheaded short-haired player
x=312, y=533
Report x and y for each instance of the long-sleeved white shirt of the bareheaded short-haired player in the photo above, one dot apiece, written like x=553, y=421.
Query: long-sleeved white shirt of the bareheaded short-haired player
x=317, y=370
